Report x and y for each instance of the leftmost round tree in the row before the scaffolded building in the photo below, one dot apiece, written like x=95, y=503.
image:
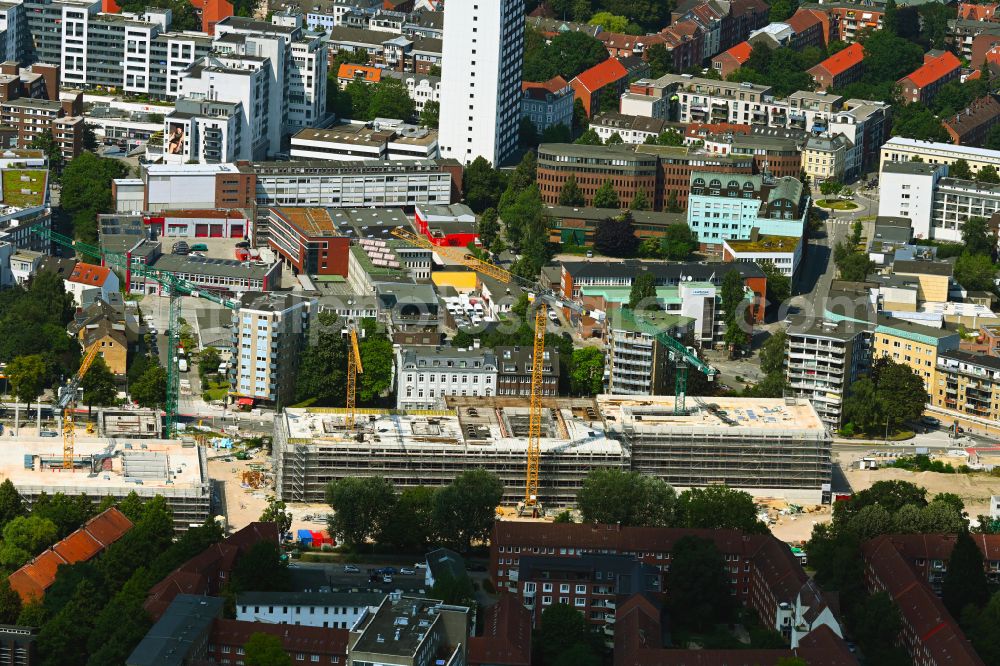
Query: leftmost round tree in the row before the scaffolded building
x=361, y=506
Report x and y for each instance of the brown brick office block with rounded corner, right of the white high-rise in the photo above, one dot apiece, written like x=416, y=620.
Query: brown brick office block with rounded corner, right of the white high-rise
x=661, y=172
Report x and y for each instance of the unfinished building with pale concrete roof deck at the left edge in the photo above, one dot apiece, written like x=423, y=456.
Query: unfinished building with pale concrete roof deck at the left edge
x=102, y=467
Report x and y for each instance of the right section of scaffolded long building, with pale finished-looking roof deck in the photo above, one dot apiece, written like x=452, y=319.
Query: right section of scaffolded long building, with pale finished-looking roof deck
x=769, y=447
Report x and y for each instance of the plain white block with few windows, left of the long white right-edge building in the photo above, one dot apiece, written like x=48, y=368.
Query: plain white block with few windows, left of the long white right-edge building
x=906, y=189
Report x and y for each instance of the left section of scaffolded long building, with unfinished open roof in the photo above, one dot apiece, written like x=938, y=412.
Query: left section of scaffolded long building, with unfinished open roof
x=312, y=447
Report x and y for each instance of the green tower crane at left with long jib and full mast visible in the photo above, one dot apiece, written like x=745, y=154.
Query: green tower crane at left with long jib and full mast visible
x=170, y=284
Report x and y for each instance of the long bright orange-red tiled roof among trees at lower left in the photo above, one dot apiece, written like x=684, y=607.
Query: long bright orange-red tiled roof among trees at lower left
x=31, y=580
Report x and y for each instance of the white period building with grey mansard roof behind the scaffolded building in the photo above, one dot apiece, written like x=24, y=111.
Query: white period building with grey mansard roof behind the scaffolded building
x=427, y=374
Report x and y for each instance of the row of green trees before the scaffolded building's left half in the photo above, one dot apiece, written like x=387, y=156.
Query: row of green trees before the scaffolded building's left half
x=457, y=515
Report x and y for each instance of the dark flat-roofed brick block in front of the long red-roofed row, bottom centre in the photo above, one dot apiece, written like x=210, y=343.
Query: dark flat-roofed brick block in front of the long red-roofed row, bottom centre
x=590, y=583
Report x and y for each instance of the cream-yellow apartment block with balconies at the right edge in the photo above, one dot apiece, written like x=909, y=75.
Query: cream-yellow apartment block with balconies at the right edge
x=967, y=386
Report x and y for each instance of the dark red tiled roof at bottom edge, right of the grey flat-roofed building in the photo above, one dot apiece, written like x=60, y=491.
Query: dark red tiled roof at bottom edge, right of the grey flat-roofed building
x=506, y=638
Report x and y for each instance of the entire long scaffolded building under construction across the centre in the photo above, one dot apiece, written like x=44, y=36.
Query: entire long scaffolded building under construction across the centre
x=772, y=448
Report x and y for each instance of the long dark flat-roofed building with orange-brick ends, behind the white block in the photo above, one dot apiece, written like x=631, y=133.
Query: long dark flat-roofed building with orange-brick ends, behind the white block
x=577, y=275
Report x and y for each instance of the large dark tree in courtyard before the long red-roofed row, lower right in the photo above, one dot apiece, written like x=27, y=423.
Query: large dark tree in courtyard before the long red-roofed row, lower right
x=698, y=584
